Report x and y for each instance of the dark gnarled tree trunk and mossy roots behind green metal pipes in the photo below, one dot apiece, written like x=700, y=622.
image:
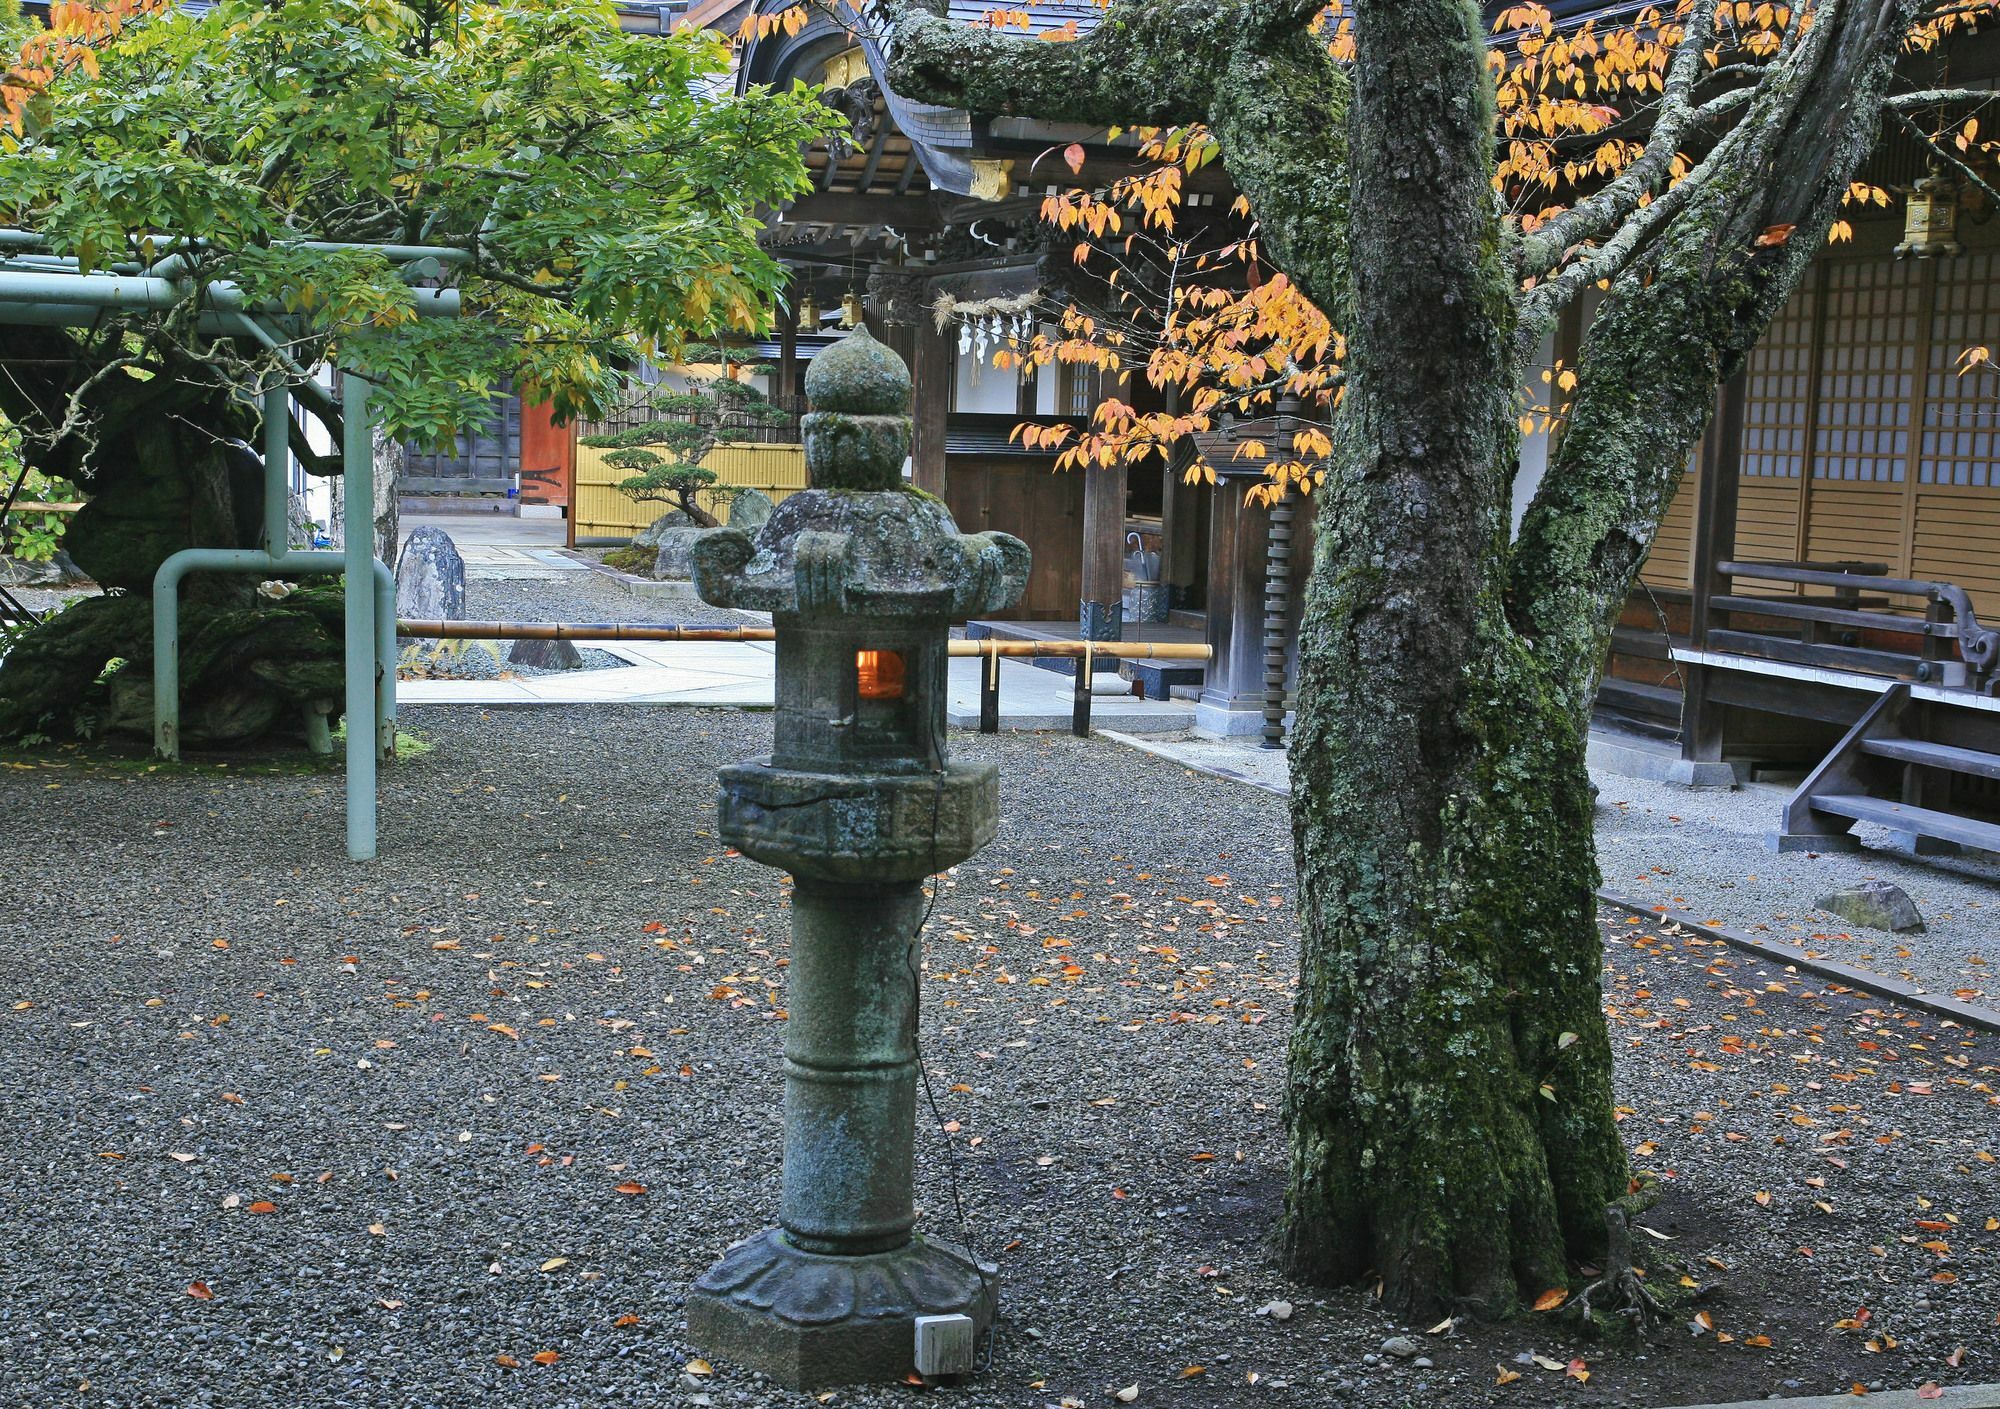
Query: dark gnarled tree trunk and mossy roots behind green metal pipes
x=167, y=465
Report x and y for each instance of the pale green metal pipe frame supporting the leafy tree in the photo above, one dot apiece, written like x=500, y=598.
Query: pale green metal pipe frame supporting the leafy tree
x=53, y=291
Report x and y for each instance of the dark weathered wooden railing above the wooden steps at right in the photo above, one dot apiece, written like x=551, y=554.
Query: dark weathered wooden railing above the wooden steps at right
x=1953, y=647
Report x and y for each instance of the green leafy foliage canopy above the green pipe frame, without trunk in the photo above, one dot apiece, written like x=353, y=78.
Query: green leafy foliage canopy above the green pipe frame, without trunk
x=599, y=189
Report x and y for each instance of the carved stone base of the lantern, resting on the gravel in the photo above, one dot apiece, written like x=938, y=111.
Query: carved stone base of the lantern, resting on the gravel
x=813, y=1320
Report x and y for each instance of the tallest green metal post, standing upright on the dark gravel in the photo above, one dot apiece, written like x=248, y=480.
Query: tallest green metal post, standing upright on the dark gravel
x=357, y=503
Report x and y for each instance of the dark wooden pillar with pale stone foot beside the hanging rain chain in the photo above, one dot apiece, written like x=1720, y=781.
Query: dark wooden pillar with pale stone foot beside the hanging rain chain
x=1233, y=697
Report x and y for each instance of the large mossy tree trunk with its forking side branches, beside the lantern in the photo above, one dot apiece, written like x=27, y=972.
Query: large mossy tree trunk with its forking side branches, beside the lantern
x=1451, y=1076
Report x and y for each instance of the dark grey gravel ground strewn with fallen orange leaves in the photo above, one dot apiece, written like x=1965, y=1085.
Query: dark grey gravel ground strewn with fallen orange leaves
x=291, y=1132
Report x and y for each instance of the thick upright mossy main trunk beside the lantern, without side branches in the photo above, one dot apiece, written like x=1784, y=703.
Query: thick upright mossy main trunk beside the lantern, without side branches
x=1451, y=1108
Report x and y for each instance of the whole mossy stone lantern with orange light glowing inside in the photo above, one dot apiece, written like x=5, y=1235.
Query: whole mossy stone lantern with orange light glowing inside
x=863, y=577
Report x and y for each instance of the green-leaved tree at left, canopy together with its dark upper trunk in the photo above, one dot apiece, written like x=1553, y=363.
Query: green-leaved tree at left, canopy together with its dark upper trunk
x=593, y=197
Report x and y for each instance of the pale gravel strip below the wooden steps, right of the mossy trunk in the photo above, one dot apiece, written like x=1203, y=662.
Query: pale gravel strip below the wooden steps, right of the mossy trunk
x=1703, y=852
